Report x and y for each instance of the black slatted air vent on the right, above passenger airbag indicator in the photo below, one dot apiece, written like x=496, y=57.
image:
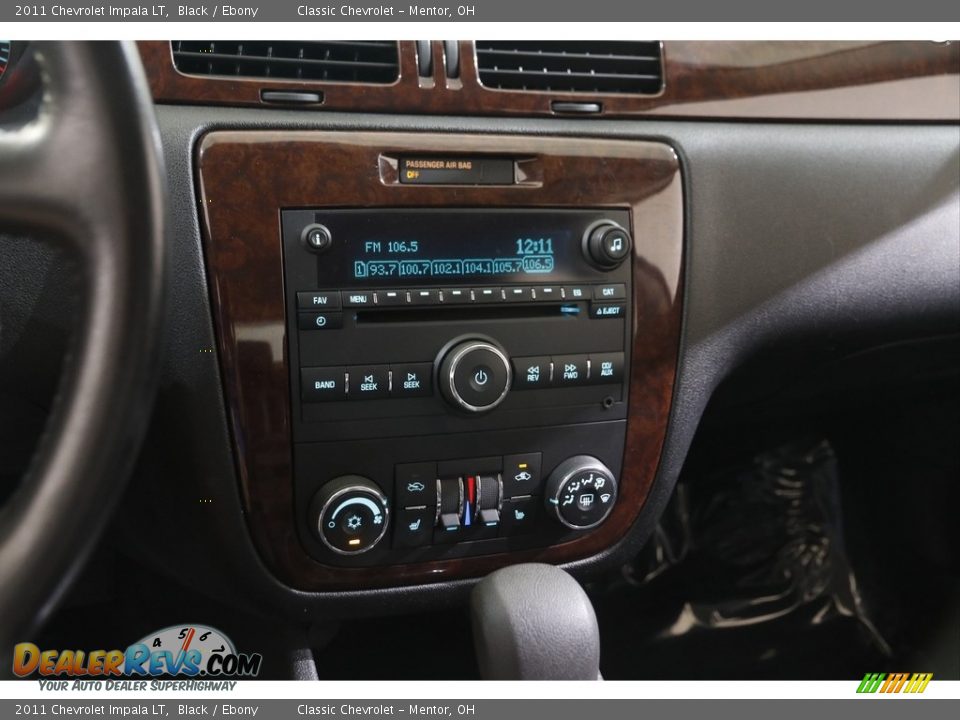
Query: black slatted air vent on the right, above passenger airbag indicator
x=632, y=68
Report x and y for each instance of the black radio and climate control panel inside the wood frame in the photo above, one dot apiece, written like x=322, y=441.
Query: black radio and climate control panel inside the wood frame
x=446, y=364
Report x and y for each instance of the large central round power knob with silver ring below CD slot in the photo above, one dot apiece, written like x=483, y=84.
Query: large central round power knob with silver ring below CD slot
x=475, y=376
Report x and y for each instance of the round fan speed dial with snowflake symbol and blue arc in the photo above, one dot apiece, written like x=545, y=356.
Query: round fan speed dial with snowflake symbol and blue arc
x=351, y=514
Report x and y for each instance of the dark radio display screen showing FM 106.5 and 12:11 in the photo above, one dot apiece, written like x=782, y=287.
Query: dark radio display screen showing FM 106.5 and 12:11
x=456, y=247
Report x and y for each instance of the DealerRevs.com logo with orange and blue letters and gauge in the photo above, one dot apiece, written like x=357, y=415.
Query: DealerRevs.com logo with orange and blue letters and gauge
x=179, y=650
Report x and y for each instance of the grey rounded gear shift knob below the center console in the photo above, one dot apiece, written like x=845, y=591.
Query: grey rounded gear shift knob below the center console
x=534, y=622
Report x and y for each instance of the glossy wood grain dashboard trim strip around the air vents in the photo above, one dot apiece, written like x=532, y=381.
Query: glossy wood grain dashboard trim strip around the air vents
x=866, y=81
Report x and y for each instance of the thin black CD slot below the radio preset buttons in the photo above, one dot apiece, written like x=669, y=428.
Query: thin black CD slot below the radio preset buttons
x=470, y=312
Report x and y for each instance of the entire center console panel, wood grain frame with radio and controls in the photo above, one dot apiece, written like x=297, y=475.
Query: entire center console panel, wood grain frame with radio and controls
x=442, y=354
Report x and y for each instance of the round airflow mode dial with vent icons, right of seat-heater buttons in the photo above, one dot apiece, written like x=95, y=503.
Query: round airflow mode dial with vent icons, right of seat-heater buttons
x=581, y=492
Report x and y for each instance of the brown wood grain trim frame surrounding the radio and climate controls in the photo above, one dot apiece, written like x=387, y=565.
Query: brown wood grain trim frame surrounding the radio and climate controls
x=245, y=178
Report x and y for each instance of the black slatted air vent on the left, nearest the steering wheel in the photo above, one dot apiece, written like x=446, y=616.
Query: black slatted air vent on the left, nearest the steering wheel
x=374, y=62
